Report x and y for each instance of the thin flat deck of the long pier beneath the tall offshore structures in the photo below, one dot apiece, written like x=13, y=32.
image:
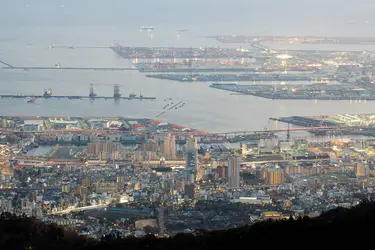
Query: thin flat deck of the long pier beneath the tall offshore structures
x=74, y=97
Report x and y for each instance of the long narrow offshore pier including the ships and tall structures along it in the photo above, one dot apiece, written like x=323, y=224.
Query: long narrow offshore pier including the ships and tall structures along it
x=92, y=96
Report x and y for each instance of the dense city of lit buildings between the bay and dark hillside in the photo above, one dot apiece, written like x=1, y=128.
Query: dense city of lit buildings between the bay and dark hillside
x=138, y=176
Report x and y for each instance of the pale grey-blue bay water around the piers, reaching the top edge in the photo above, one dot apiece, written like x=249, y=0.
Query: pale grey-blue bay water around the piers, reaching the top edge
x=28, y=28
